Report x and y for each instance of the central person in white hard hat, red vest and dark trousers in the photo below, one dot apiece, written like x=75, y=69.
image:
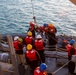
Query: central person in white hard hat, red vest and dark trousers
x=39, y=46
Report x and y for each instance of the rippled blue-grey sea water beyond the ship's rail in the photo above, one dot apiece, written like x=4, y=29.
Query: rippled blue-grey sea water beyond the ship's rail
x=15, y=15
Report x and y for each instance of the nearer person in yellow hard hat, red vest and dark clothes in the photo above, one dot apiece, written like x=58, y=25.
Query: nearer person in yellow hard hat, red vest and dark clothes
x=32, y=57
